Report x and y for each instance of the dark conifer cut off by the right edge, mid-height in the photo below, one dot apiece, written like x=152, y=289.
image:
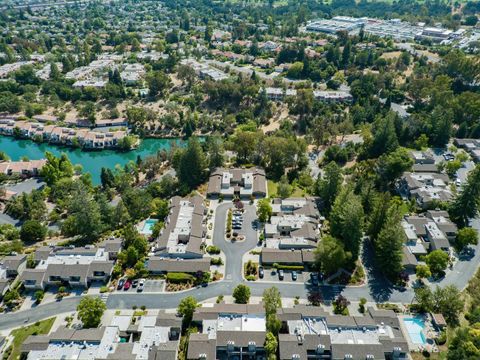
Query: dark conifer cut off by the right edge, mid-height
x=466, y=204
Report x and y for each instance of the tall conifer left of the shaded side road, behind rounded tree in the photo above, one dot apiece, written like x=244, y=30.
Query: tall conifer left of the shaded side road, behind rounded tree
x=346, y=220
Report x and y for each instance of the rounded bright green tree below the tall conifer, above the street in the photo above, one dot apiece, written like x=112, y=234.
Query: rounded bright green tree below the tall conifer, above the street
x=330, y=255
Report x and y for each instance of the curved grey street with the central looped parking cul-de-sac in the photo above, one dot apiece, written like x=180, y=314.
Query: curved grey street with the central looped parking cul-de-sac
x=376, y=289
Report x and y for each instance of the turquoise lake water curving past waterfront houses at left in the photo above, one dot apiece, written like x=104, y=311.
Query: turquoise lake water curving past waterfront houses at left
x=91, y=161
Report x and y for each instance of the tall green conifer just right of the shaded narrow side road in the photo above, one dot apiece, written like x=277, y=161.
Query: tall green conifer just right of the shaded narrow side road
x=389, y=243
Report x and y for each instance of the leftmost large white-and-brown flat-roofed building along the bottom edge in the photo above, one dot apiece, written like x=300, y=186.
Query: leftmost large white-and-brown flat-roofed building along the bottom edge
x=151, y=337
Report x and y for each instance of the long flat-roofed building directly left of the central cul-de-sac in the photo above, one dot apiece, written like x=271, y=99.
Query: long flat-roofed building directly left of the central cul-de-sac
x=178, y=248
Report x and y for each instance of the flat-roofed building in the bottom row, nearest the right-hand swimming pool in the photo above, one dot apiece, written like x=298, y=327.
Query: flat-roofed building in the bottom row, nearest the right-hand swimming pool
x=315, y=334
